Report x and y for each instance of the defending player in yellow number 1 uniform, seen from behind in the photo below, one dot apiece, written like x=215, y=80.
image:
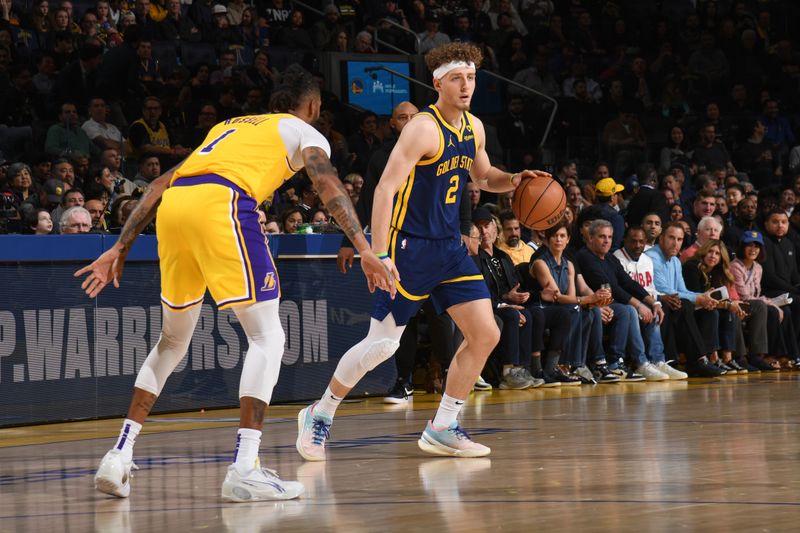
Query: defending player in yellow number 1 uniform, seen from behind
x=209, y=238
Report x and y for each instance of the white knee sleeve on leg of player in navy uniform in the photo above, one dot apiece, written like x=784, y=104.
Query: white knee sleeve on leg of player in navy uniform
x=381, y=342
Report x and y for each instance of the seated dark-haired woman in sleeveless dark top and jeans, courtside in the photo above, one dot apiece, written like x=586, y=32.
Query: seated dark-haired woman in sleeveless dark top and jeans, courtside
x=575, y=322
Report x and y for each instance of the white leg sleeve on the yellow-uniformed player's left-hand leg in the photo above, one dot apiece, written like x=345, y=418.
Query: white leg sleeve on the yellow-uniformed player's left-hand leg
x=176, y=333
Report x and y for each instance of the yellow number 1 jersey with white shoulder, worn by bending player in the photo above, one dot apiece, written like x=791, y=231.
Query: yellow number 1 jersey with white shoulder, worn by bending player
x=256, y=152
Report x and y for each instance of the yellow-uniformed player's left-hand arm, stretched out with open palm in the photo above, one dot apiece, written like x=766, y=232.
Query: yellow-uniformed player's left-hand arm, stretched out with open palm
x=109, y=266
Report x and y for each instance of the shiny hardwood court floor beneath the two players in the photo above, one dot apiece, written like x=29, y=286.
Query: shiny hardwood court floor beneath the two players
x=705, y=455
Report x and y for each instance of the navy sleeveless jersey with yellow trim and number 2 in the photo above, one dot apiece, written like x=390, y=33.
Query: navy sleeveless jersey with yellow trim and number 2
x=427, y=205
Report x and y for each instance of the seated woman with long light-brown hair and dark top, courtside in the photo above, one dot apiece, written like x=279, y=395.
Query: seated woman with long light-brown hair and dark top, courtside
x=707, y=270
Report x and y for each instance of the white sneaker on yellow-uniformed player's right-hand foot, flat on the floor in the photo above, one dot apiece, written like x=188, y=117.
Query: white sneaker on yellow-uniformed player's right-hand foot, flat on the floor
x=258, y=484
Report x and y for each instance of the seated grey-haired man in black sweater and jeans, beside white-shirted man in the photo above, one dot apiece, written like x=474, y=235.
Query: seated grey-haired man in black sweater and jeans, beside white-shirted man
x=636, y=314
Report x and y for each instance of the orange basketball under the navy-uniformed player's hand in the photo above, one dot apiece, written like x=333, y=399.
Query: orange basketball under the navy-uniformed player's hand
x=539, y=202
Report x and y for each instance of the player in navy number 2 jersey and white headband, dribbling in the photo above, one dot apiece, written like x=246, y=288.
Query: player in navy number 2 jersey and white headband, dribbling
x=415, y=230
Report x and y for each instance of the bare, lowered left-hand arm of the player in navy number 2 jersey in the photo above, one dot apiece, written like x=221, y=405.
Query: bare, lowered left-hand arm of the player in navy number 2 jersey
x=418, y=140
